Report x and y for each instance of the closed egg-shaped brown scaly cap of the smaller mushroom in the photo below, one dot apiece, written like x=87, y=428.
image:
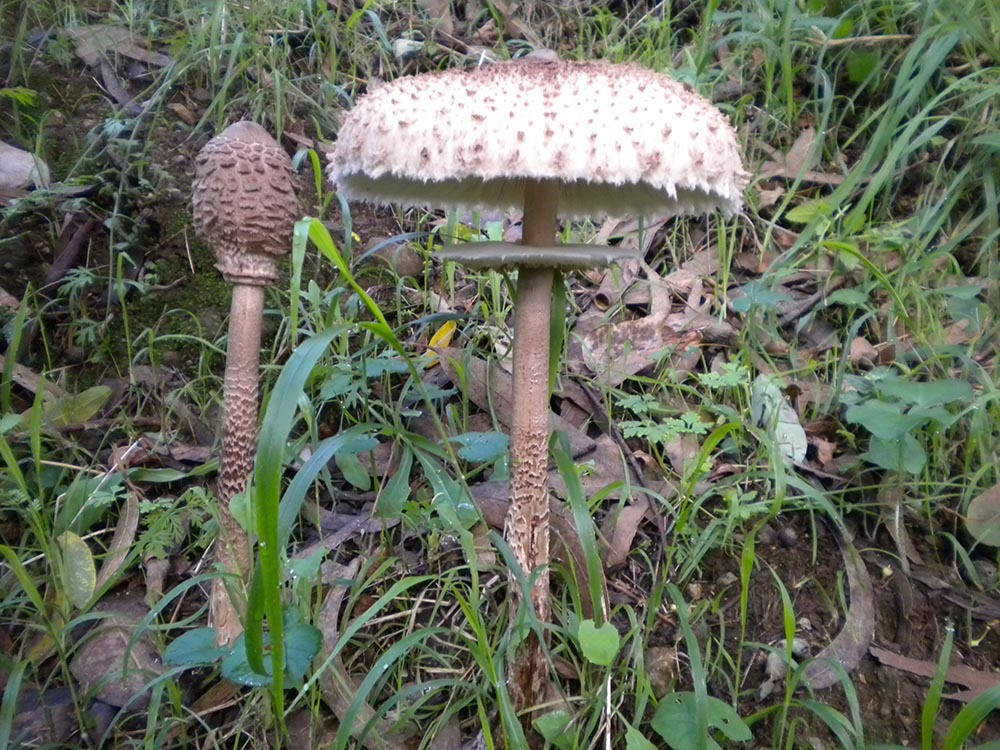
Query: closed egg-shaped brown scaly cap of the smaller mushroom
x=244, y=203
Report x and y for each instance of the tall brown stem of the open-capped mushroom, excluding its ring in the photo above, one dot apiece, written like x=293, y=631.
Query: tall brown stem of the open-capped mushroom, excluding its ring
x=528, y=520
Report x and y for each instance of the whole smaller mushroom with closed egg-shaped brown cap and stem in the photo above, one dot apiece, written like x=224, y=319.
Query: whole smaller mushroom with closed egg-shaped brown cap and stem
x=244, y=207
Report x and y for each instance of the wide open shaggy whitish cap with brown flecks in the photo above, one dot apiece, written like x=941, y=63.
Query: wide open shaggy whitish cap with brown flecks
x=620, y=139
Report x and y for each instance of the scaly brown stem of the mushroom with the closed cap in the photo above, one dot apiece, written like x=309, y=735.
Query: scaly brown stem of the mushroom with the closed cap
x=239, y=438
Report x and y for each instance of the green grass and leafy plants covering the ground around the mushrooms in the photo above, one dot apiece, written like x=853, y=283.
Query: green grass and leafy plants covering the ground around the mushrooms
x=903, y=236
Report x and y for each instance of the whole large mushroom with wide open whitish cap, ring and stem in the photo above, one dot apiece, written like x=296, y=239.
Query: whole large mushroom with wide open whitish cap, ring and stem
x=556, y=139
